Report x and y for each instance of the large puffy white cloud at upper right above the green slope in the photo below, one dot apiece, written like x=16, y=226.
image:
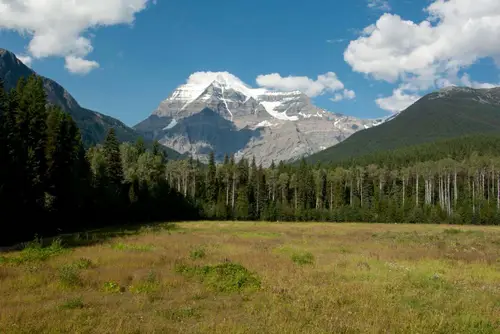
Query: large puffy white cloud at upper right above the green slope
x=428, y=54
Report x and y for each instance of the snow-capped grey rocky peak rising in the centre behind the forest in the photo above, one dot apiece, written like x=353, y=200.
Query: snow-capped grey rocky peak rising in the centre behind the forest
x=223, y=114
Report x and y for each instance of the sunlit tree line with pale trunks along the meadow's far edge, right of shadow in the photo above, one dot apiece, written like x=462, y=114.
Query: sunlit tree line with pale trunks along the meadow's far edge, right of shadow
x=434, y=191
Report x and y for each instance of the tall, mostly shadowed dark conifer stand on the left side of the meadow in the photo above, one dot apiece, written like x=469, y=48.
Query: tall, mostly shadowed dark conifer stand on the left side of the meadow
x=50, y=184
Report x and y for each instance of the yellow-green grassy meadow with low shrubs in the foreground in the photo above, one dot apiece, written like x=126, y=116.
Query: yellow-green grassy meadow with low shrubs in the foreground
x=210, y=277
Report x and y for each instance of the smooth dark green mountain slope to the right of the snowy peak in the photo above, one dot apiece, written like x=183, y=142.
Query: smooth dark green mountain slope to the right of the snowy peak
x=449, y=113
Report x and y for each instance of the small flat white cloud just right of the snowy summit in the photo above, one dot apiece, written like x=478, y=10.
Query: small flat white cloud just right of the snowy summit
x=327, y=82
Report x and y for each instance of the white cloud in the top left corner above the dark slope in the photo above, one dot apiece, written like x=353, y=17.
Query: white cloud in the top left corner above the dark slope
x=59, y=28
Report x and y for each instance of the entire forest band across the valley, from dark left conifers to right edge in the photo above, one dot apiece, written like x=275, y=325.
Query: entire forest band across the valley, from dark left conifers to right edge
x=49, y=182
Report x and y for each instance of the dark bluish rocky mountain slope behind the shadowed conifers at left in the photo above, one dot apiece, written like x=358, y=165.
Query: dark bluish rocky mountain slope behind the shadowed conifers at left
x=93, y=125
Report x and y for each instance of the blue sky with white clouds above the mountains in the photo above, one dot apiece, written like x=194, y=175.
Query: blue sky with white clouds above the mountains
x=140, y=63
